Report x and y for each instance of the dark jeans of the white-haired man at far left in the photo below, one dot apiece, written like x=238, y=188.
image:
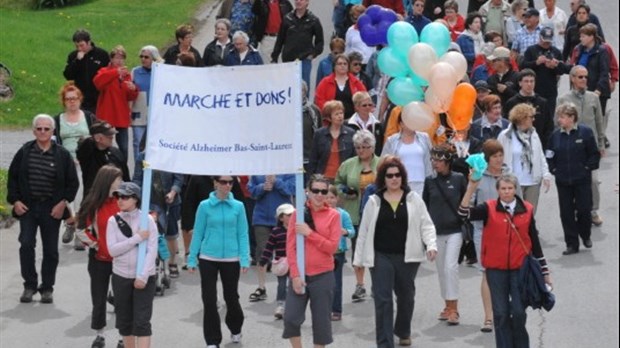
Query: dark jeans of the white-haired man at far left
x=38, y=216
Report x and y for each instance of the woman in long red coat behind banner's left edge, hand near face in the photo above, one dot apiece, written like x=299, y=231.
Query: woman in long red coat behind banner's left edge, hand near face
x=116, y=90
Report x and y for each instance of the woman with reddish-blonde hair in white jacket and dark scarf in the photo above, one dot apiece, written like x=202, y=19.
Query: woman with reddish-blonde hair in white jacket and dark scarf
x=523, y=153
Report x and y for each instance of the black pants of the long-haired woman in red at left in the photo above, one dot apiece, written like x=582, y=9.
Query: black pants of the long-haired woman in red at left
x=100, y=273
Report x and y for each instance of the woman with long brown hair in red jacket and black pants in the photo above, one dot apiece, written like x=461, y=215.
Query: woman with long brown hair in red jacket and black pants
x=95, y=210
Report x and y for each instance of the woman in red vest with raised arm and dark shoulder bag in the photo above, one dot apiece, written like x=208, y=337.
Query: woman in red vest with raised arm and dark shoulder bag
x=508, y=235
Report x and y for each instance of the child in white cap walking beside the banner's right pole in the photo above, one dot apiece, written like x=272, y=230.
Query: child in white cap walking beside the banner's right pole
x=277, y=243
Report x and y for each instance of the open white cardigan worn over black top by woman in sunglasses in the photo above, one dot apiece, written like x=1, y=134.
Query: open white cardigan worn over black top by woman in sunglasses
x=421, y=235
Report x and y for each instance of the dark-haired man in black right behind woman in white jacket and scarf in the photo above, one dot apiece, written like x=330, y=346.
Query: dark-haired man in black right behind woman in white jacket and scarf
x=543, y=120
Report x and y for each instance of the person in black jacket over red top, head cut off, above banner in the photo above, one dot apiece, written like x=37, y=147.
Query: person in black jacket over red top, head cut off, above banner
x=268, y=16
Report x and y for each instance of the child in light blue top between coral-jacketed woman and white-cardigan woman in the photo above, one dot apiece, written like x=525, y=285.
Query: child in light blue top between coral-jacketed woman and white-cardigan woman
x=339, y=259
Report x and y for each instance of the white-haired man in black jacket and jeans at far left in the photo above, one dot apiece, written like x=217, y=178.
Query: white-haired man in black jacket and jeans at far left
x=42, y=179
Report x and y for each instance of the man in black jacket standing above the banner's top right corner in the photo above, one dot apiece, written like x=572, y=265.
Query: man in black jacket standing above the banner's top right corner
x=300, y=37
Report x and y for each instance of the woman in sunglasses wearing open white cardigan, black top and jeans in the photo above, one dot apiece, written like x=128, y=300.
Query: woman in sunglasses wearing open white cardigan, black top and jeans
x=393, y=234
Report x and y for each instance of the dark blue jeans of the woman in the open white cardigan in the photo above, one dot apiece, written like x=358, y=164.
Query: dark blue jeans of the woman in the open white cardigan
x=392, y=274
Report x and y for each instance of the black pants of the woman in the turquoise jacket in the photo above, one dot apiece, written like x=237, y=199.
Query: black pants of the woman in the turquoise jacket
x=229, y=272
